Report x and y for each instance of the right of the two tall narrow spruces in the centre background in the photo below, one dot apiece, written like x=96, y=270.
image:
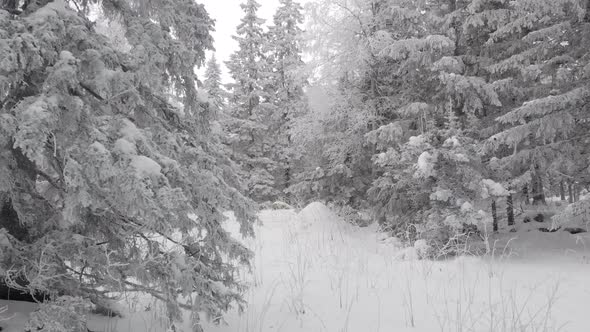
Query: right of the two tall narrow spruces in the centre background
x=285, y=83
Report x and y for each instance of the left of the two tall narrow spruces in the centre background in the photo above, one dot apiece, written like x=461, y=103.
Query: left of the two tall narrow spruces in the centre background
x=251, y=137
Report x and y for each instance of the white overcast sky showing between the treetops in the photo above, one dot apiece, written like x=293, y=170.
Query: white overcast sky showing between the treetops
x=227, y=15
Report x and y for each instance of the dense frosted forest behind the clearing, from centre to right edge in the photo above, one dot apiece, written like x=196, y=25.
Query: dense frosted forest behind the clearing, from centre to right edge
x=420, y=114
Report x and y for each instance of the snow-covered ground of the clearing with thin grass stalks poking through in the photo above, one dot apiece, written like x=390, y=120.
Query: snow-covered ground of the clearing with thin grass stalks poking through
x=313, y=272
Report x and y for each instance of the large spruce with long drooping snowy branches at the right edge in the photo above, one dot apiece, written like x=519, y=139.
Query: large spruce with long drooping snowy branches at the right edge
x=543, y=135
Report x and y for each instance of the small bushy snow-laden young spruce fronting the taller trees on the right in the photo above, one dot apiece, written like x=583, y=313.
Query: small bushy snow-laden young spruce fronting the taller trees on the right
x=438, y=191
